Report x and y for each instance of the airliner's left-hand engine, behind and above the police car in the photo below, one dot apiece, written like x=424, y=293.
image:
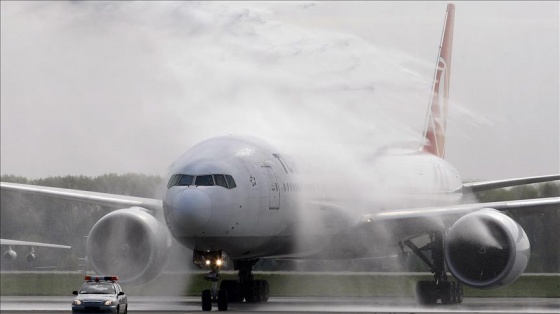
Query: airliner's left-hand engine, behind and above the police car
x=129, y=243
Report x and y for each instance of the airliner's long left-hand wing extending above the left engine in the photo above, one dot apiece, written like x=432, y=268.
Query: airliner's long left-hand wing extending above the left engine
x=96, y=198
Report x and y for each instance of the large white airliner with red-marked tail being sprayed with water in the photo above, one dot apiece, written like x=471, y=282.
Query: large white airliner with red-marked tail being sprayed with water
x=240, y=198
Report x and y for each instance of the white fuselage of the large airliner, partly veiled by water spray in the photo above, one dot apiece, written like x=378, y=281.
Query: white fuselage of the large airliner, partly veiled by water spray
x=274, y=209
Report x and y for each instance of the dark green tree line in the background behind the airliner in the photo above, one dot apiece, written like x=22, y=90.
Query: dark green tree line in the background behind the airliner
x=43, y=219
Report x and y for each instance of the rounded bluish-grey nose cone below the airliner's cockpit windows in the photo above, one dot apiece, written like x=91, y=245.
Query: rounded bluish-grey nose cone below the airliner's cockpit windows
x=191, y=209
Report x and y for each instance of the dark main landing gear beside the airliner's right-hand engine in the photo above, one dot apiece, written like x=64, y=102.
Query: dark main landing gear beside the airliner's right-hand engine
x=429, y=292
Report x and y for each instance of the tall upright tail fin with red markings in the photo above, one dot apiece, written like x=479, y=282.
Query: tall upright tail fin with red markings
x=434, y=131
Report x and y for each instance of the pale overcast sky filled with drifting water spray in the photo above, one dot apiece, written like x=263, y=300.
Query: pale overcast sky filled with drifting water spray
x=97, y=87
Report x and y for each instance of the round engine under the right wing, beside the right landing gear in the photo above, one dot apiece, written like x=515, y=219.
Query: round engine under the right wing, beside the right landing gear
x=486, y=249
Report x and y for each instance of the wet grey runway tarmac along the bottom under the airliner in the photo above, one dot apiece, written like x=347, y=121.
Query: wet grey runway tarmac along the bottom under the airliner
x=143, y=305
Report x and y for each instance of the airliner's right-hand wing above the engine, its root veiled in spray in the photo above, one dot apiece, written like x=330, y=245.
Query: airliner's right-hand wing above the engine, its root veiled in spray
x=378, y=233
